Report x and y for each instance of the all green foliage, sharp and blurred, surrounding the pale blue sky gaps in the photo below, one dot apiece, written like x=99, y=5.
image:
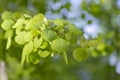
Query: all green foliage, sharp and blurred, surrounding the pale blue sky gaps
x=40, y=44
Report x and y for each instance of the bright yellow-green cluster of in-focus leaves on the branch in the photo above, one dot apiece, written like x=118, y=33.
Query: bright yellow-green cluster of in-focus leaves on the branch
x=41, y=37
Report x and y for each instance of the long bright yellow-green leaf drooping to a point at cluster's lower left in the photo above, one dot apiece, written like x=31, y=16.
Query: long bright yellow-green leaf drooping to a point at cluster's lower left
x=28, y=48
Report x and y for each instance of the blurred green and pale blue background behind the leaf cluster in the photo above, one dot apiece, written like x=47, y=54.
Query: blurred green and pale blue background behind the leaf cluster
x=94, y=17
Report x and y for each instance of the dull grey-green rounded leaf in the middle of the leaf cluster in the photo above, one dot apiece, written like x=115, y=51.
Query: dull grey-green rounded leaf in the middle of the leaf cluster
x=49, y=35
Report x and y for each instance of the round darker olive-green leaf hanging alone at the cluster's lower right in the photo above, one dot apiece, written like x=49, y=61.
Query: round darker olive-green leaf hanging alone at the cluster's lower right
x=80, y=54
